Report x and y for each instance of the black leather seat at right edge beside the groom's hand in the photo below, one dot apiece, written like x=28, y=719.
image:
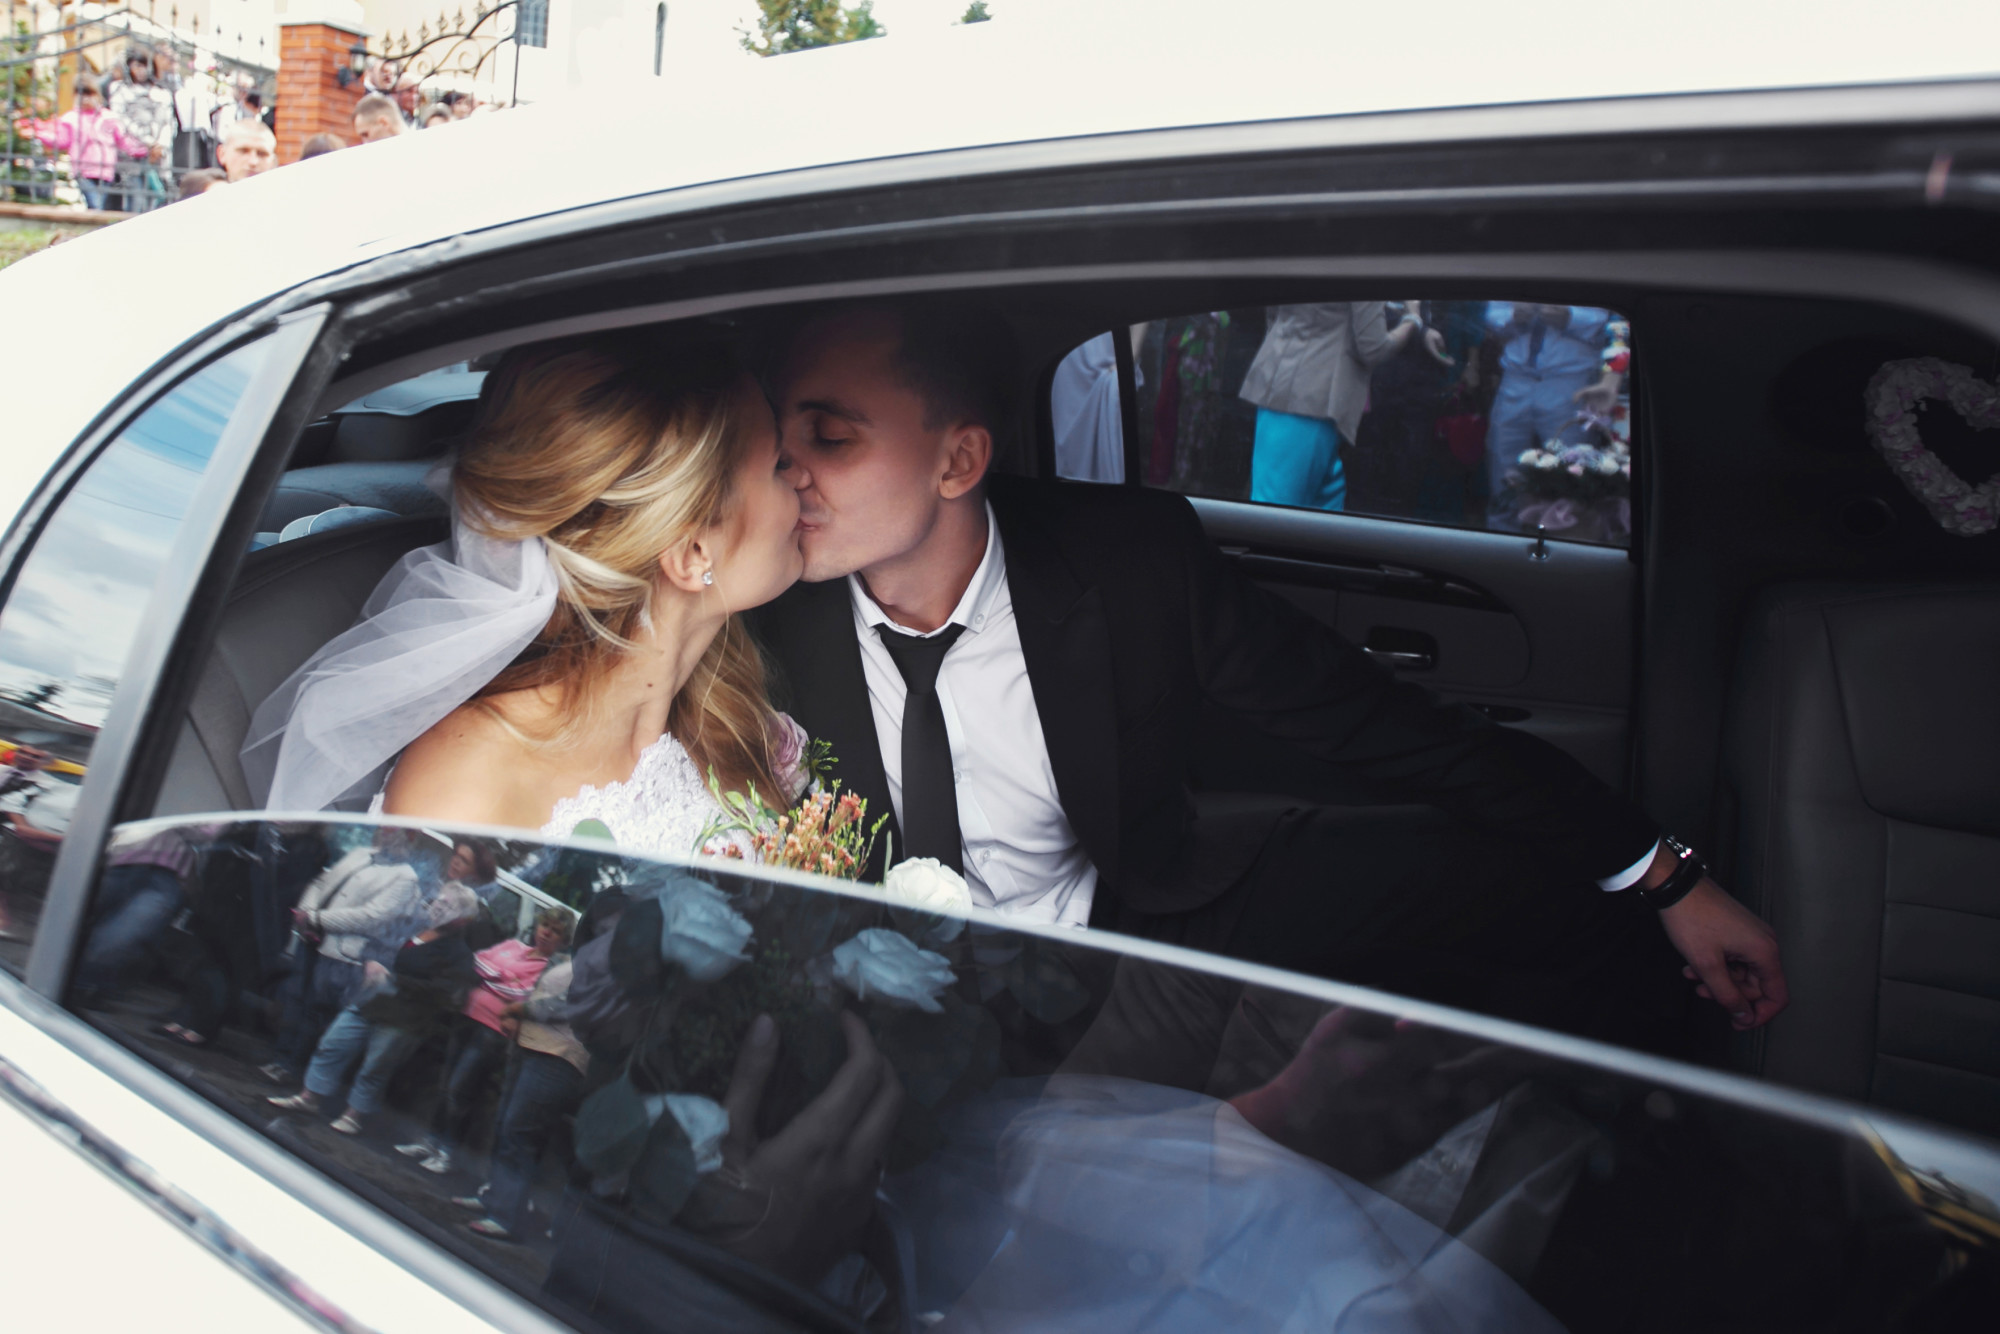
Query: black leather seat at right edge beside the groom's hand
x=1865, y=775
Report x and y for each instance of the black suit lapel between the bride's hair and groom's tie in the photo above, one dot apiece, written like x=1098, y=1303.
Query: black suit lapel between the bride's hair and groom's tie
x=811, y=635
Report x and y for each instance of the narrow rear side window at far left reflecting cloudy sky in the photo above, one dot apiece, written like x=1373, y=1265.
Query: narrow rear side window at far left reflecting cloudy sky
x=75, y=611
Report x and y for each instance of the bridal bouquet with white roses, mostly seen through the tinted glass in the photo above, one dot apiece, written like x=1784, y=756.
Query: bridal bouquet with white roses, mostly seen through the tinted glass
x=693, y=963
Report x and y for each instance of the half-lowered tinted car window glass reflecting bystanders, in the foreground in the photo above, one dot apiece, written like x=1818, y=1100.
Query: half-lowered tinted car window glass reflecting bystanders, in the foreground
x=1085, y=1127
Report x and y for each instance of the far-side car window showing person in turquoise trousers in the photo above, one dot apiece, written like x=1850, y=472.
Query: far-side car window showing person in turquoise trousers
x=1487, y=415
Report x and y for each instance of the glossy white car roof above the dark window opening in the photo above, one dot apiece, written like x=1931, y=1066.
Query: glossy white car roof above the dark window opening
x=1097, y=77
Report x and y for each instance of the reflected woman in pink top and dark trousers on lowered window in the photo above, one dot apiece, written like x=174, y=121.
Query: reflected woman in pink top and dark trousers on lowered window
x=485, y=1035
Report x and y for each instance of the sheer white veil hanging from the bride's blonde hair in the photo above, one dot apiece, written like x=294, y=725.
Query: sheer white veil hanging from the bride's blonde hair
x=443, y=623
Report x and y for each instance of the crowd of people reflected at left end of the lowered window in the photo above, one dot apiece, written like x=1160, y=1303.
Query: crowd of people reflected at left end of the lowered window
x=393, y=983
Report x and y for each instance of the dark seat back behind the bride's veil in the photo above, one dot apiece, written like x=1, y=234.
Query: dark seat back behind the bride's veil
x=289, y=601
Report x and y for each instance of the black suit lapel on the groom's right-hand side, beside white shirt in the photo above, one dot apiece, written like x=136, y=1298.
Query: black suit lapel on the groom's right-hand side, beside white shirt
x=1067, y=645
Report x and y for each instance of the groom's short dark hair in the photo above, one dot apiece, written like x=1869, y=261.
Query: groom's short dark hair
x=959, y=357
